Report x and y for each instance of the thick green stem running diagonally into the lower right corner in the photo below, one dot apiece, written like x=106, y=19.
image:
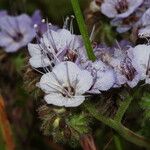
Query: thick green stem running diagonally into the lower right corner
x=118, y=127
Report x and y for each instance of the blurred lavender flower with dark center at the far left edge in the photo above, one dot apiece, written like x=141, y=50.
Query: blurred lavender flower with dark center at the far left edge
x=15, y=32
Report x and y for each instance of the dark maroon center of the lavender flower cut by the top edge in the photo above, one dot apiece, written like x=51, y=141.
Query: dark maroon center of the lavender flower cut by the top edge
x=121, y=6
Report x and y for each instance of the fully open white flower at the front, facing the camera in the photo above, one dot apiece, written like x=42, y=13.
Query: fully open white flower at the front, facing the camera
x=65, y=85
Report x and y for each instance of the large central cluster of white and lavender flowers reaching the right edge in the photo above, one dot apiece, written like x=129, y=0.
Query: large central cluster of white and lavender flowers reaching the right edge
x=69, y=77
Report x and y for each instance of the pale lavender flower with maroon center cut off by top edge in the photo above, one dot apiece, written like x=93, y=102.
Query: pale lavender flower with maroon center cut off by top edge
x=119, y=8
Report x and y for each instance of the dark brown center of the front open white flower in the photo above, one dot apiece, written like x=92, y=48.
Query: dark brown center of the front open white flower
x=68, y=91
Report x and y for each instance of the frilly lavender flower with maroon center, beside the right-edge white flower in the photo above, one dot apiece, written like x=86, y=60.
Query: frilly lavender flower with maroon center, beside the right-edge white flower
x=121, y=64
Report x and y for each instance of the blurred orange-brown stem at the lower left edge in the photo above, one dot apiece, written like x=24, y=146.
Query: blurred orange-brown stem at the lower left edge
x=5, y=127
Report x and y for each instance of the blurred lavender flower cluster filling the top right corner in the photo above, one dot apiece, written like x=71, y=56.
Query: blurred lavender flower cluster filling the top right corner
x=127, y=14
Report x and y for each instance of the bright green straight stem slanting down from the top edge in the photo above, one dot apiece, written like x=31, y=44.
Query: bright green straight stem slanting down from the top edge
x=83, y=29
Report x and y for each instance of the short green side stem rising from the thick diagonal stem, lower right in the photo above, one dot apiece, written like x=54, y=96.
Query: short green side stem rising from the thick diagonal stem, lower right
x=122, y=109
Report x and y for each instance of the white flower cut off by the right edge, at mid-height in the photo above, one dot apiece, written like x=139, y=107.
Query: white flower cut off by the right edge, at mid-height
x=140, y=57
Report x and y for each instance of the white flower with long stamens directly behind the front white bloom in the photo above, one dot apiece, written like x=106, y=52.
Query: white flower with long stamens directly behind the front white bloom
x=54, y=46
